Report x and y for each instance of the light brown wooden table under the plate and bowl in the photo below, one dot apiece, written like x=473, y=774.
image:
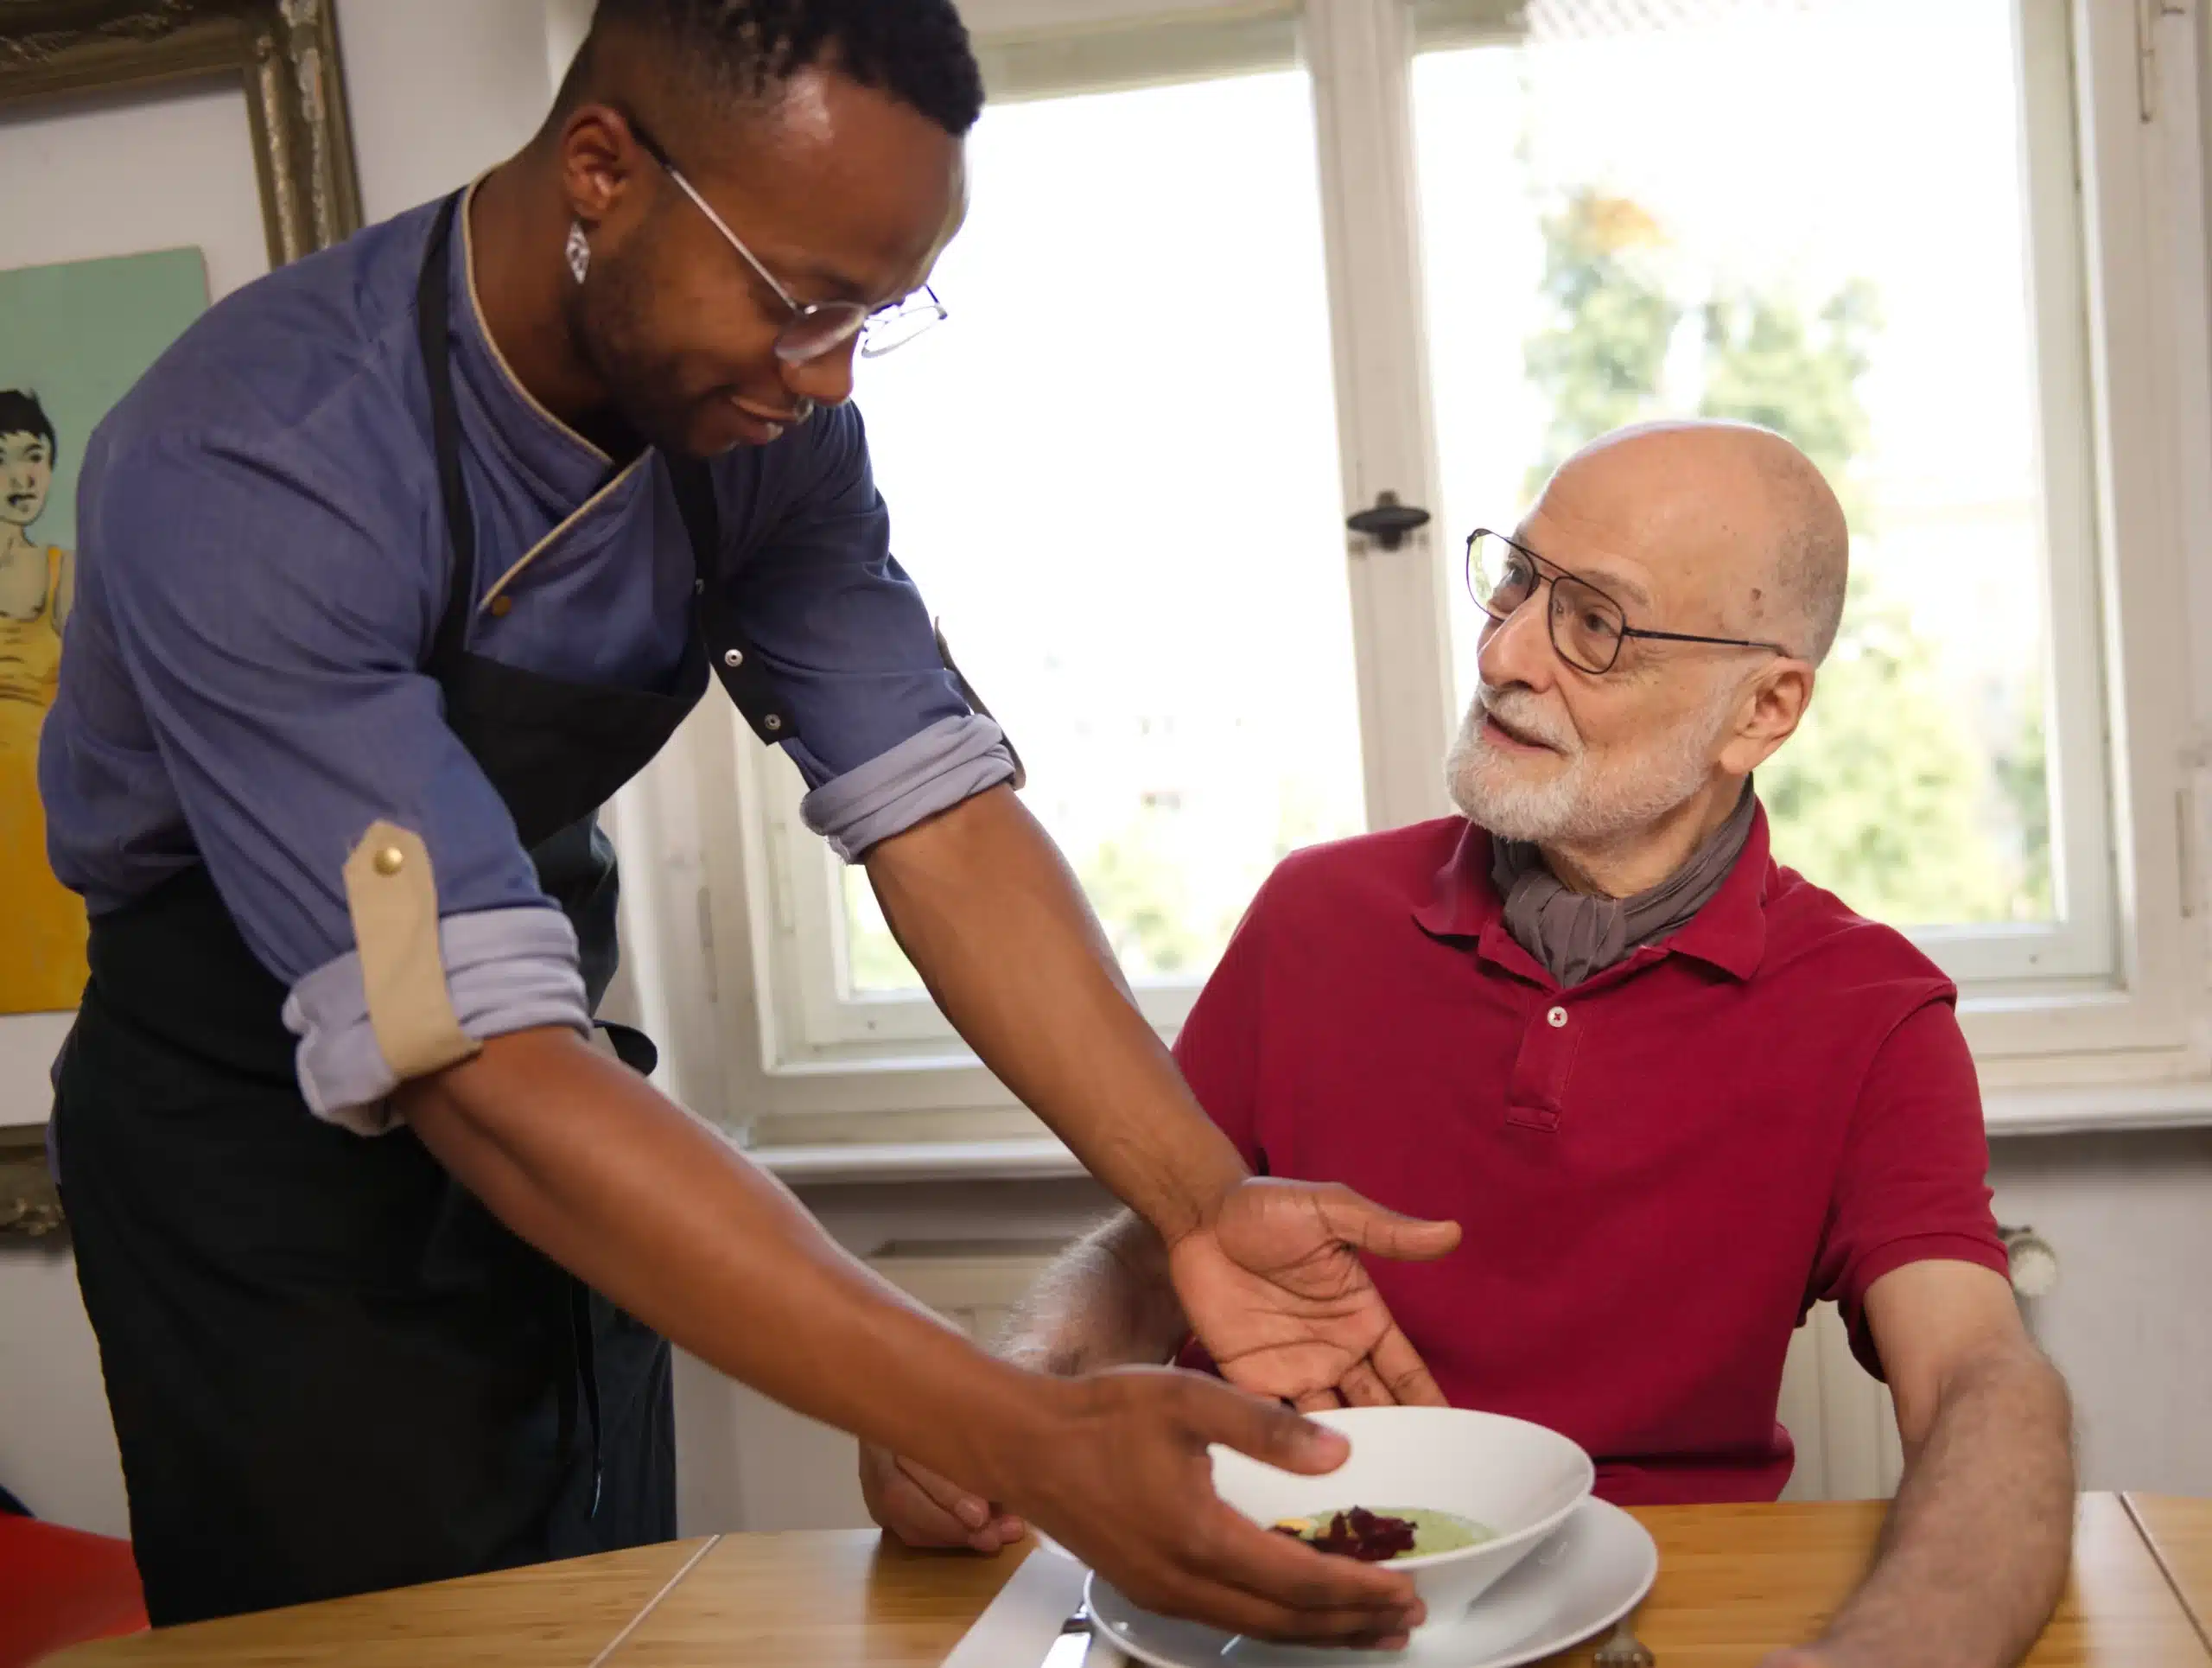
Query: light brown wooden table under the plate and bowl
x=1733, y=1585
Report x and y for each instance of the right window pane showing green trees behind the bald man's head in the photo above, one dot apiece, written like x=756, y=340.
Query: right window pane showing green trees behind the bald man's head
x=1687, y=209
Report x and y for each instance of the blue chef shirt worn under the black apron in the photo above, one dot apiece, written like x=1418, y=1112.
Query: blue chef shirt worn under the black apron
x=260, y=576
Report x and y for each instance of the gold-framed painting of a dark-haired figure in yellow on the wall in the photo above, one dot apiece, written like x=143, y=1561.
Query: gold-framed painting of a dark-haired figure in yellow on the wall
x=160, y=154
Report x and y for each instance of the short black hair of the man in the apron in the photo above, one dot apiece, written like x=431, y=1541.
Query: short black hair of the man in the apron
x=915, y=50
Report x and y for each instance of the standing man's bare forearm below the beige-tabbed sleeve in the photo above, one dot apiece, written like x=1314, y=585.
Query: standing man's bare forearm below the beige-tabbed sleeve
x=647, y=1205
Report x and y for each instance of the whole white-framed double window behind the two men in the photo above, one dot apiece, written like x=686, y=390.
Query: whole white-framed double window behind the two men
x=1242, y=269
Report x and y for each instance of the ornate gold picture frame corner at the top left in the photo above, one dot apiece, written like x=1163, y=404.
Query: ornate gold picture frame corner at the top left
x=284, y=54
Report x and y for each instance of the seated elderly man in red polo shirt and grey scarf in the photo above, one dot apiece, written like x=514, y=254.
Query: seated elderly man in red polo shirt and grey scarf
x=1673, y=1092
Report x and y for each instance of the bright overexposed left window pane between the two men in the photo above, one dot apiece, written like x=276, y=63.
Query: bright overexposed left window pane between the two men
x=1118, y=490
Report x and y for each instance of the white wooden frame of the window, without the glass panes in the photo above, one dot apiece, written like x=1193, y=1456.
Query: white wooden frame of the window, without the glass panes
x=744, y=921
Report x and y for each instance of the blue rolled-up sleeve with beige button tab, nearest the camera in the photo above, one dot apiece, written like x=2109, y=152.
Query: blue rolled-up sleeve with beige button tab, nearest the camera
x=271, y=614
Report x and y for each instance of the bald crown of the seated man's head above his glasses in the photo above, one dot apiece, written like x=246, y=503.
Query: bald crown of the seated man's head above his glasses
x=1735, y=521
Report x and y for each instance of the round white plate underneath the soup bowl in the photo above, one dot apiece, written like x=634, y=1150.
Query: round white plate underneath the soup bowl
x=1592, y=1574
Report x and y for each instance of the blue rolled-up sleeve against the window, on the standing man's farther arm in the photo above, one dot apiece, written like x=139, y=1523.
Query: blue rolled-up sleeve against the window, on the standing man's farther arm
x=886, y=738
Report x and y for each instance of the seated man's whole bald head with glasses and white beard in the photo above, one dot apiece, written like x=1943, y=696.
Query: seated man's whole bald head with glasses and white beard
x=1620, y=755
